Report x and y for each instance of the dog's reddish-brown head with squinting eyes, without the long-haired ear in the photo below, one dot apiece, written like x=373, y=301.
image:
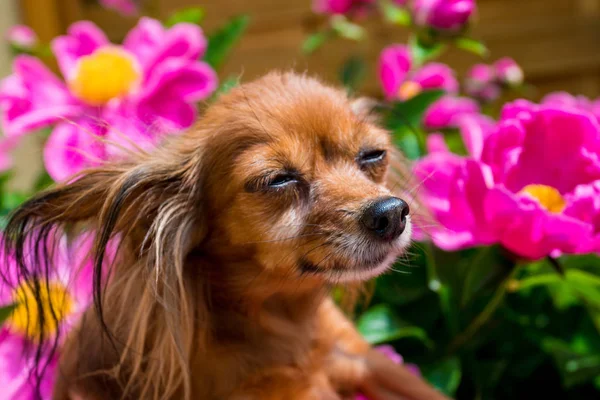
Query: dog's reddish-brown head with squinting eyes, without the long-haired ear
x=299, y=178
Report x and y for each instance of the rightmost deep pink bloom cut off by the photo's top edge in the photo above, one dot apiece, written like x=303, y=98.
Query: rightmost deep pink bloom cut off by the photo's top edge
x=448, y=15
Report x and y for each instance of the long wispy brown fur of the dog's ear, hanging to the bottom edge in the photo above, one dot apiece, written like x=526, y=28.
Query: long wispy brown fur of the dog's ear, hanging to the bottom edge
x=152, y=207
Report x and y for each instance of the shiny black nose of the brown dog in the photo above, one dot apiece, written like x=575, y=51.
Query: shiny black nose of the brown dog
x=386, y=217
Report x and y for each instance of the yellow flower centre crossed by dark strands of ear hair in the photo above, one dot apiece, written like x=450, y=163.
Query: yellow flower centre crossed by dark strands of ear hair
x=57, y=304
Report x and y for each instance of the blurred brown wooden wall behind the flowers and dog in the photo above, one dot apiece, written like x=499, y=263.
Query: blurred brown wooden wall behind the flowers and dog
x=556, y=41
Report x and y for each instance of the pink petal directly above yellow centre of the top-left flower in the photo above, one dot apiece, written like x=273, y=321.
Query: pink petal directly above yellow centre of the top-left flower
x=82, y=39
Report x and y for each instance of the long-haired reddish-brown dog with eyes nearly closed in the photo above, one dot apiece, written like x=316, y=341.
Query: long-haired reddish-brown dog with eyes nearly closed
x=230, y=239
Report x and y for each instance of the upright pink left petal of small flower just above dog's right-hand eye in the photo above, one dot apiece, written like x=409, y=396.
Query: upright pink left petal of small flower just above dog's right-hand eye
x=394, y=64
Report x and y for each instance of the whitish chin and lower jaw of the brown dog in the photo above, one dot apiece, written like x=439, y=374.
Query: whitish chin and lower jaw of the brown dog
x=357, y=271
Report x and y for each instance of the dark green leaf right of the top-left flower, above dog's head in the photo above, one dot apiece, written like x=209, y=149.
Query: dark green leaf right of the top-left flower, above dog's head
x=222, y=41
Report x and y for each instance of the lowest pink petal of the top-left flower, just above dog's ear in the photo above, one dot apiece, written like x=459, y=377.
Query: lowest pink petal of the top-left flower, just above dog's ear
x=73, y=147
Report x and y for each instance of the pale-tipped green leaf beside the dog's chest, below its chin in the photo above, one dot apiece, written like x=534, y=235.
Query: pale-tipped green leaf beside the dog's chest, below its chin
x=379, y=324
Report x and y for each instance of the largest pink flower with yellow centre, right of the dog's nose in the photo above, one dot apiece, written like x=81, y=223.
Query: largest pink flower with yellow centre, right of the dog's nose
x=530, y=183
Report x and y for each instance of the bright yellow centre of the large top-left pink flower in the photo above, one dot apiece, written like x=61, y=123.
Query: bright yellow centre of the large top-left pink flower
x=107, y=73
